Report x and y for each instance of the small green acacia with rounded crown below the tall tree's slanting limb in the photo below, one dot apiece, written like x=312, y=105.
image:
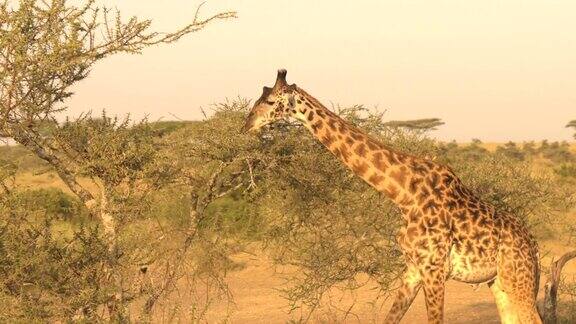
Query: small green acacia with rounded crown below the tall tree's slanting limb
x=123, y=160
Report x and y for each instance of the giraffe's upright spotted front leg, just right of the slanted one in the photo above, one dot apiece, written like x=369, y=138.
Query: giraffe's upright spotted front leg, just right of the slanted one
x=433, y=285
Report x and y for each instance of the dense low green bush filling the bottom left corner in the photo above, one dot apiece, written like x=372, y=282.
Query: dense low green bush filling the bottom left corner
x=44, y=275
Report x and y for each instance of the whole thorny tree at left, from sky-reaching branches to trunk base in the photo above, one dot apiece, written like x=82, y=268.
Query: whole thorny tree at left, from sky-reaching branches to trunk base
x=45, y=48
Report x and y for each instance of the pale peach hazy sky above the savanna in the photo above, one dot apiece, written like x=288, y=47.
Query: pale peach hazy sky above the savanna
x=494, y=70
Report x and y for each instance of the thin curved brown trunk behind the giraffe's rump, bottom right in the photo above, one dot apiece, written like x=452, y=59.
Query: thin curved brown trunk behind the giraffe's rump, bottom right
x=551, y=288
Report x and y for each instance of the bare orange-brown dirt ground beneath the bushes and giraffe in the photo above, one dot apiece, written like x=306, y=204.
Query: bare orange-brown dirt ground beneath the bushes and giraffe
x=257, y=299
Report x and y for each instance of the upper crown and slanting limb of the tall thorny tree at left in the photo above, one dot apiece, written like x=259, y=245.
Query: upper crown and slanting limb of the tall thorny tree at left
x=45, y=48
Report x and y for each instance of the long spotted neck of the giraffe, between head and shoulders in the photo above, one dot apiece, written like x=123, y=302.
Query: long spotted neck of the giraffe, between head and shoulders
x=389, y=172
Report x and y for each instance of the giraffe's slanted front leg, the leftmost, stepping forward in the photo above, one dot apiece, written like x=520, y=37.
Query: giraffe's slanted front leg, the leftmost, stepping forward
x=411, y=283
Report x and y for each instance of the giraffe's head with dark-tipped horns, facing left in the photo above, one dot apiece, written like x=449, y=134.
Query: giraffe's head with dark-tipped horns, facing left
x=276, y=103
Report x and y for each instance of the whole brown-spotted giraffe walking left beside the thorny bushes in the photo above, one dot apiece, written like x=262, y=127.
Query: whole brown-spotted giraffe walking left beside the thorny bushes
x=448, y=232
